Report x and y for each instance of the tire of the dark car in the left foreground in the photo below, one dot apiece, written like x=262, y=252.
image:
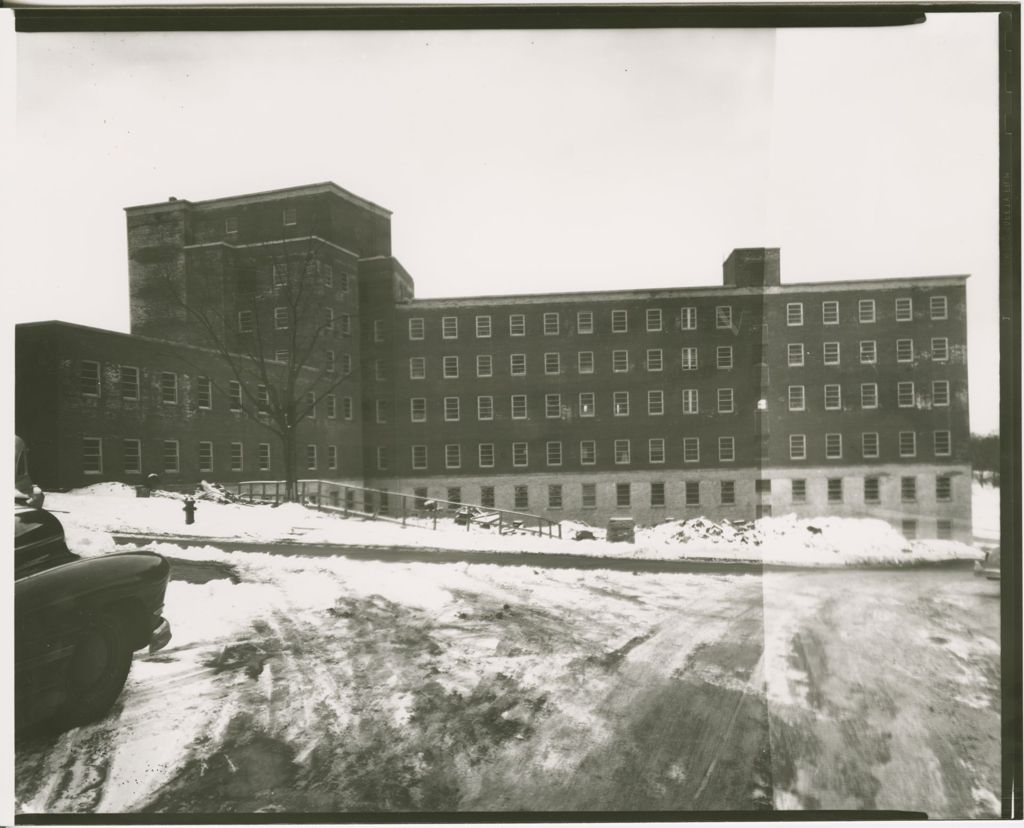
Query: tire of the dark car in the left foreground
x=98, y=669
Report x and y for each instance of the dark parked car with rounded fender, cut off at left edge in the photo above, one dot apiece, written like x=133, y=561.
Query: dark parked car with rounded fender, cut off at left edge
x=78, y=623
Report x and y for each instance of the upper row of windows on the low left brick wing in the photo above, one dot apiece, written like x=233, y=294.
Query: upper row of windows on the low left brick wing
x=130, y=384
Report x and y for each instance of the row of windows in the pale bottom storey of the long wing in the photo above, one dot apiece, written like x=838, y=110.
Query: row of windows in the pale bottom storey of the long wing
x=692, y=494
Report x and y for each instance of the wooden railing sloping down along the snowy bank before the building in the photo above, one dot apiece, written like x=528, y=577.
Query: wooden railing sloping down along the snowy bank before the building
x=397, y=507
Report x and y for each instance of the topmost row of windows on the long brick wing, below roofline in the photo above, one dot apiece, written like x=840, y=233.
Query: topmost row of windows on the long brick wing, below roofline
x=654, y=319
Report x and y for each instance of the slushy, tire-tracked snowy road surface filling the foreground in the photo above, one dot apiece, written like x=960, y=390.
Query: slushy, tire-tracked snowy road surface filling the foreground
x=323, y=685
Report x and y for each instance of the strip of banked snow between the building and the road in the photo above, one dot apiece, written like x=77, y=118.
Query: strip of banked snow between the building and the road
x=92, y=513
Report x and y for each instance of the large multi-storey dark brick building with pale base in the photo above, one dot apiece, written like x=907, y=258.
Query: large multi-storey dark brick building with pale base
x=747, y=399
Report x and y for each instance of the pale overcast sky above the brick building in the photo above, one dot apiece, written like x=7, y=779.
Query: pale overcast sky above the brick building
x=531, y=161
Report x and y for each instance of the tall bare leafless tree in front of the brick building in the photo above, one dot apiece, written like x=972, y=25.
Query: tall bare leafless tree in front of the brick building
x=265, y=313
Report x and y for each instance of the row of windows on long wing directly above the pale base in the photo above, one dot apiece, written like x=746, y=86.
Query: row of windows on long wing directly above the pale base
x=871, y=447
